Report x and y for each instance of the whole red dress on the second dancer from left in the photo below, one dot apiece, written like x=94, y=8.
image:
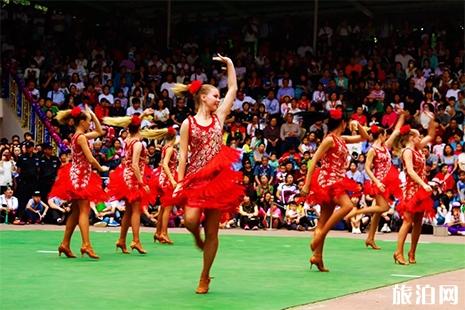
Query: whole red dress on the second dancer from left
x=123, y=182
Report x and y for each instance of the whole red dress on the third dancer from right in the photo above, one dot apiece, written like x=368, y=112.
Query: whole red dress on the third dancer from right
x=330, y=181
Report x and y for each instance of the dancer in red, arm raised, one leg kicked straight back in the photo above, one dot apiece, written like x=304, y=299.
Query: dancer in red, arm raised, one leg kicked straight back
x=385, y=181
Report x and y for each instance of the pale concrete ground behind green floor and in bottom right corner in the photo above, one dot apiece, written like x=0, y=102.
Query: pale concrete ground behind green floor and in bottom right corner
x=380, y=299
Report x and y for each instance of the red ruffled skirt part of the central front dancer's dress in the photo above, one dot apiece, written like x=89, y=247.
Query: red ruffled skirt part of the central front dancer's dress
x=215, y=186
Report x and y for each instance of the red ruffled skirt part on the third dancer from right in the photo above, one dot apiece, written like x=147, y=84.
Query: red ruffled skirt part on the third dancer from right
x=326, y=195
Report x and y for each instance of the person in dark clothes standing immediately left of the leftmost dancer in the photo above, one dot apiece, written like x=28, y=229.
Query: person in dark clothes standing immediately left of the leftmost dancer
x=48, y=168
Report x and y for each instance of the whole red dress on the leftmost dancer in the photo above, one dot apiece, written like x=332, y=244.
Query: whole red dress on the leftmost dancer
x=76, y=180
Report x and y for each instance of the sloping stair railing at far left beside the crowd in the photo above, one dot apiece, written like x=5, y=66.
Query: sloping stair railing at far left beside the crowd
x=31, y=116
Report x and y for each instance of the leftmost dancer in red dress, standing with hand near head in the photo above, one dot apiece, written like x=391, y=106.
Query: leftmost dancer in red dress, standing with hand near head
x=76, y=182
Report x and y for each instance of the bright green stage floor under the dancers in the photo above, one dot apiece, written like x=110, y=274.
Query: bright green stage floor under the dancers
x=249, y=272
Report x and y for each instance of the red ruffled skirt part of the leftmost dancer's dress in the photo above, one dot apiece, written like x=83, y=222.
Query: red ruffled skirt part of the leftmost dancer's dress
x=64, y=189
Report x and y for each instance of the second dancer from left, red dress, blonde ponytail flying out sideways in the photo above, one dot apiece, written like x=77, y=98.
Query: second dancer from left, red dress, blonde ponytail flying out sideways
x=132, y=181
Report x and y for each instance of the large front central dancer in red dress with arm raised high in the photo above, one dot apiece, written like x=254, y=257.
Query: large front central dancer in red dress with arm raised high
x=207, y=184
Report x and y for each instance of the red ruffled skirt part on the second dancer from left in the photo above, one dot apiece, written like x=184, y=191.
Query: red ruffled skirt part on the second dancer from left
x=119, y=189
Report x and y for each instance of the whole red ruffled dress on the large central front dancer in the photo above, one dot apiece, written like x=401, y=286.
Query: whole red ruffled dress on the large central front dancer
x=210, y=182
